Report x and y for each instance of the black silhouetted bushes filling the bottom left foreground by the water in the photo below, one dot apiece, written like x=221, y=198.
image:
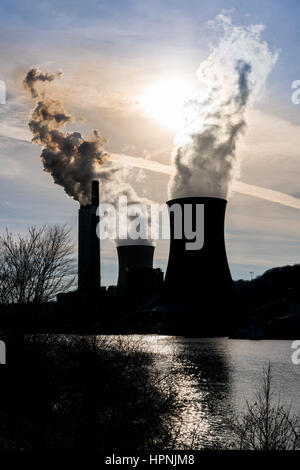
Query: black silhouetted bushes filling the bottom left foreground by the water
x=75, y=393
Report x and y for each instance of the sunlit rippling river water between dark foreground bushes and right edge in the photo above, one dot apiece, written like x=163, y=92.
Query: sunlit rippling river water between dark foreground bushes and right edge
x=214, y=376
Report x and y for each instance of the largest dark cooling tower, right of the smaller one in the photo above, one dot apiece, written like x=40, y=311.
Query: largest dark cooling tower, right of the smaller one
x=198, y=282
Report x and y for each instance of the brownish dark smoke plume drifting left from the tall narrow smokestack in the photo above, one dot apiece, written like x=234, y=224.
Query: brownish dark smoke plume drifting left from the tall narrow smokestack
x=72, y=161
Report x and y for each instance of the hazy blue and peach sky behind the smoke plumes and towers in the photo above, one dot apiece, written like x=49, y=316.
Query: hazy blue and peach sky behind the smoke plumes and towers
x=111, y=54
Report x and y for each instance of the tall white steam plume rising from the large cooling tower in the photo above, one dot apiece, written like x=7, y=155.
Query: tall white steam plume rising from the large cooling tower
x=232, y=78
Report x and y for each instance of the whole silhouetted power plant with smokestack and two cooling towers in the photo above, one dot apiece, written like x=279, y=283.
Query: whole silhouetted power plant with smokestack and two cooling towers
x=198, y=290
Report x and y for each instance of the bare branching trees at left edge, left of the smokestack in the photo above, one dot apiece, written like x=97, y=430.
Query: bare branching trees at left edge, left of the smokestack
x=35, y=267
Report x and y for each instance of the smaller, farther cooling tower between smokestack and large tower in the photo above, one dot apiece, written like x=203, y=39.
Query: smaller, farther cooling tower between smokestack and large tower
x=133, y=257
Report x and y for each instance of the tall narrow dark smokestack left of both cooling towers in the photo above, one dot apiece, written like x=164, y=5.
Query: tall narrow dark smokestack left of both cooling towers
x=89, y=244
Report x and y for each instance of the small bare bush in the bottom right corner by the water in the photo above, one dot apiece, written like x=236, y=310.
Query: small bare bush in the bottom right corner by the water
x=267, y=424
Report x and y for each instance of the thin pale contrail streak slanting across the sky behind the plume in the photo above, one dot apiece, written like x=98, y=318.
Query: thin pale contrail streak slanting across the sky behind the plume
x=237, y=186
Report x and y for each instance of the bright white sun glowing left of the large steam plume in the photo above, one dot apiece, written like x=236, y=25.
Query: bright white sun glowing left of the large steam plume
x=165, y=99
